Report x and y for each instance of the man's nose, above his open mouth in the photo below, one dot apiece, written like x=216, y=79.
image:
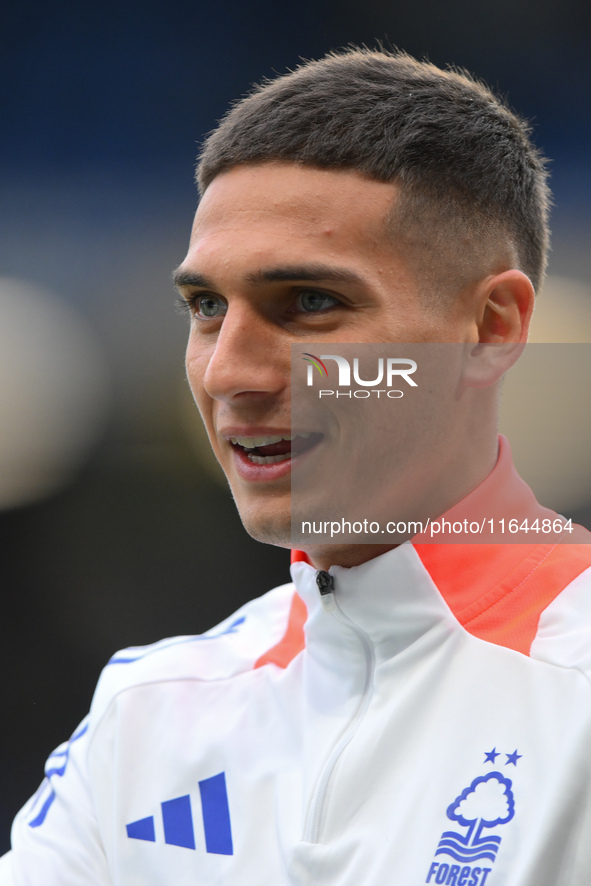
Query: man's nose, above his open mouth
x=248, y=359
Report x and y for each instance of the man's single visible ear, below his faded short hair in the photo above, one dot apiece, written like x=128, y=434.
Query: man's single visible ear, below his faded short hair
x=505, y=305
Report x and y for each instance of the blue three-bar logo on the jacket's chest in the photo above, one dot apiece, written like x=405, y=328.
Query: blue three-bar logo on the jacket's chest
x=178, y=823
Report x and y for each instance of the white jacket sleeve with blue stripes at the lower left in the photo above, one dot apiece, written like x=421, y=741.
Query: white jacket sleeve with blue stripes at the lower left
x=55, y=837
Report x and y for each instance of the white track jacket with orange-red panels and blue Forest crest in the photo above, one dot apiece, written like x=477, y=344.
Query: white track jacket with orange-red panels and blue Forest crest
x=425, y=720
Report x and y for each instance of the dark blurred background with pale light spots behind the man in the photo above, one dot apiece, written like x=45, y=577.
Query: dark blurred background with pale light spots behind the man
x=114, y=526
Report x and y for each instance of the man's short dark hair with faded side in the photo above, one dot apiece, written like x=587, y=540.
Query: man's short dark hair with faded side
x=471, y=179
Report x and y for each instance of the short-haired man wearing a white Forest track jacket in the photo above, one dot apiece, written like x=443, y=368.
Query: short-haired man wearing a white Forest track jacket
x=413, y=713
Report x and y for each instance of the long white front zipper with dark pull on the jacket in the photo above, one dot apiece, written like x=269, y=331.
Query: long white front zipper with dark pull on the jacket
x=315, y=817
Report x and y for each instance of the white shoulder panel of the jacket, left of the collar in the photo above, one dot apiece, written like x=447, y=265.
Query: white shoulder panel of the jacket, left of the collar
x=231, y=648
